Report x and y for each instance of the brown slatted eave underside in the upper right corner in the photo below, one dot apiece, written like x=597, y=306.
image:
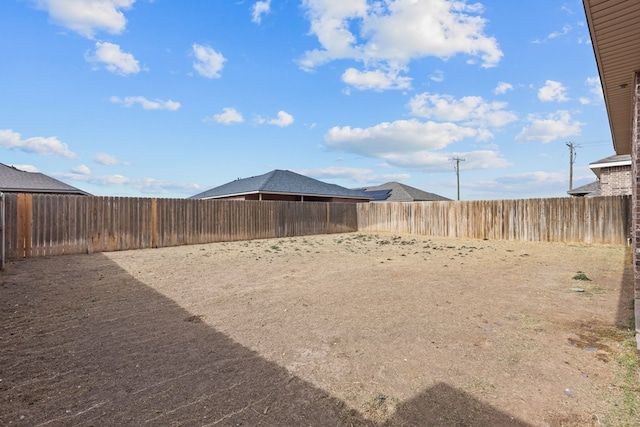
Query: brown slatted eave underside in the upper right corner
x=615, y=33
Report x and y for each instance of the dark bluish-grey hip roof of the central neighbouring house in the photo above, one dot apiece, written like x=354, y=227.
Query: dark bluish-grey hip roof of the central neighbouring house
x=280, y=182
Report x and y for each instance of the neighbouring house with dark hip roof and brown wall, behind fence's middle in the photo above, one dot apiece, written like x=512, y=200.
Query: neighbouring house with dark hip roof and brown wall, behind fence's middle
x=283, y=185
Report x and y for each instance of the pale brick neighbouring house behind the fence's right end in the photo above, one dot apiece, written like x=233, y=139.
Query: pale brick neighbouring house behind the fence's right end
x=614, y=178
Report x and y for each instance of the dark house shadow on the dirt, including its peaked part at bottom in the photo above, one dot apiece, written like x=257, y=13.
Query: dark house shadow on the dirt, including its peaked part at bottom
x=84, y=343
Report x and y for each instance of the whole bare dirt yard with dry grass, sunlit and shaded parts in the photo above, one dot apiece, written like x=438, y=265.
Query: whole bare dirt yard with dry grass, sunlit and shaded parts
x=346, y=329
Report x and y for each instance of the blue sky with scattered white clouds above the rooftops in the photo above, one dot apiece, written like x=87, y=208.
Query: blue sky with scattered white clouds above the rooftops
x=169, y=98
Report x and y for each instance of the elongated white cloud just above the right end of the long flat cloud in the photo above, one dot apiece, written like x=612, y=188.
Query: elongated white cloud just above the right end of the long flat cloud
x=470, y=110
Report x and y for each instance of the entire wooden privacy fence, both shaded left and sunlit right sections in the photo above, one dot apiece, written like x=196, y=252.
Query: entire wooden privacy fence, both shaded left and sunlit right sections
x=42, y=225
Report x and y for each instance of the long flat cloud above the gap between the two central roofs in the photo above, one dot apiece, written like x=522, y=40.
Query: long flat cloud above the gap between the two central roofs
x=402, y=136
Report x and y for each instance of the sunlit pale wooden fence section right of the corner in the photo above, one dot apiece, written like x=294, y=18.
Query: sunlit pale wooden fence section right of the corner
x=604, y=220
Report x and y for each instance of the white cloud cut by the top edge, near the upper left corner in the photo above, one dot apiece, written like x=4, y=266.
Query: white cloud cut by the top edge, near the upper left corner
x=86, y=17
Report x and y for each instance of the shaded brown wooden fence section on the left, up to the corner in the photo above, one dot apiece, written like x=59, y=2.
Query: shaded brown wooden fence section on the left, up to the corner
x=41, y=225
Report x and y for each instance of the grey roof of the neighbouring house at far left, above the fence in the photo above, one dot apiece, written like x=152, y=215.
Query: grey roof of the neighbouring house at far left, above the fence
x=13, y=180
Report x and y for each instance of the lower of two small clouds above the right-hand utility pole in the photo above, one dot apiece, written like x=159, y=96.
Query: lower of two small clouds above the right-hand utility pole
x=550, y=128
